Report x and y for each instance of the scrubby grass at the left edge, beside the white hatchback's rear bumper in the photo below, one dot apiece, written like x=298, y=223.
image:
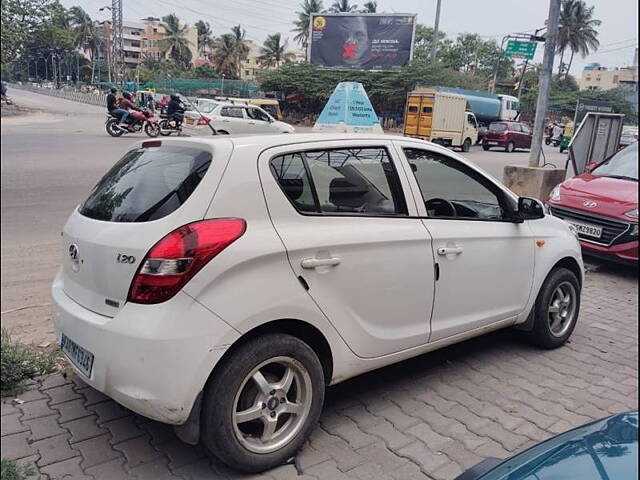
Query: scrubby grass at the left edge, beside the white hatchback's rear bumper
x=20, y=362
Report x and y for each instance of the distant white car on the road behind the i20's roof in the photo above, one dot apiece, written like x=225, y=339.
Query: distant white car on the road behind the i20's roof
x=231, y=118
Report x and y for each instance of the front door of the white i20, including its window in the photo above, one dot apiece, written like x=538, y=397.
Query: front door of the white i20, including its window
x=485, y=261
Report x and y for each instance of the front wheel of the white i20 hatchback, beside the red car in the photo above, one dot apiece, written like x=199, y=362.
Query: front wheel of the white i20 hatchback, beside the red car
x=556, y=309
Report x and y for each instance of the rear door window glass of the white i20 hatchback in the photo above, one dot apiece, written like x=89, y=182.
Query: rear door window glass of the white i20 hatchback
x=361, y=181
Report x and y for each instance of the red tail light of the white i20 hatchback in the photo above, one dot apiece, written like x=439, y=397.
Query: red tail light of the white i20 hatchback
x=175, y=259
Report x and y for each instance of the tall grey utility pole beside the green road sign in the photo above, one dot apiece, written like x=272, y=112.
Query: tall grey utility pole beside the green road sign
x=545, y=81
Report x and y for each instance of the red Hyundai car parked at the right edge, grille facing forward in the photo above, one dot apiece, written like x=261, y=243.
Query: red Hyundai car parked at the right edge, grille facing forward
x=602, y=205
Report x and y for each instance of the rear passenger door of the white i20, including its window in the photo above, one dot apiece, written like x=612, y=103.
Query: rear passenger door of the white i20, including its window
x=343, y=217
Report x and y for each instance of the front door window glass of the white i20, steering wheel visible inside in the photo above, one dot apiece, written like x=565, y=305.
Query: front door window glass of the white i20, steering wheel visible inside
x=452, y=190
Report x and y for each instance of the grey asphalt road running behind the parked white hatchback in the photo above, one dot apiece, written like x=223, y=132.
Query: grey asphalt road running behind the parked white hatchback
x=50, y=161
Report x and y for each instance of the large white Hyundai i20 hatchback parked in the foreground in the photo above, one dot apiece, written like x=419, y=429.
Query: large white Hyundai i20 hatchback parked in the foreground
x=220, y=284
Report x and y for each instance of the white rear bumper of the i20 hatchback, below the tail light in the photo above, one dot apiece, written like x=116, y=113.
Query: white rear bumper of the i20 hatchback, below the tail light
x=152, y=359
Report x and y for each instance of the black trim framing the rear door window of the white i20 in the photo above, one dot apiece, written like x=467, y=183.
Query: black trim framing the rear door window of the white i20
x=319, y=212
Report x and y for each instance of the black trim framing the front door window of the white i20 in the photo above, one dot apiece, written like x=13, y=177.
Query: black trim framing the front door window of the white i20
x=505, y=202
